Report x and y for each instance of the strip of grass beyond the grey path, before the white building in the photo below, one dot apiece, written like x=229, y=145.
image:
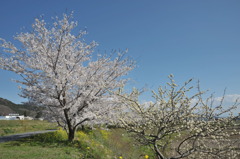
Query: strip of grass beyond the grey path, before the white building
x=8, y=127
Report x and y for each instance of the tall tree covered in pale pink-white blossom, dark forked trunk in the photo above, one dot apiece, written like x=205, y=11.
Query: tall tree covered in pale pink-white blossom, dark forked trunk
x=60, y=71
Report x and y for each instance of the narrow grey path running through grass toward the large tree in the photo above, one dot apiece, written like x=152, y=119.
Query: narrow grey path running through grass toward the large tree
x=22, y=135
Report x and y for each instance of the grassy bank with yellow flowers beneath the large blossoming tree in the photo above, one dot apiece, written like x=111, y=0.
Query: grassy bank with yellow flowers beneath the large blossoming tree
x=92, y=144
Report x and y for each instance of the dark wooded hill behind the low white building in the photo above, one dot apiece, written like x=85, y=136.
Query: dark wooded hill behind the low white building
x=27, y=109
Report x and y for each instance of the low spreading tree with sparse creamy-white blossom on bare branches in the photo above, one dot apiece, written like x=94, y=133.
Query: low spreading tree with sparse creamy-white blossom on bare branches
x=179, y=126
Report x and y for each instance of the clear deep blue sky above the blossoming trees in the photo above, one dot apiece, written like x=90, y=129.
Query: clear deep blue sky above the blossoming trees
x=188, y=38
